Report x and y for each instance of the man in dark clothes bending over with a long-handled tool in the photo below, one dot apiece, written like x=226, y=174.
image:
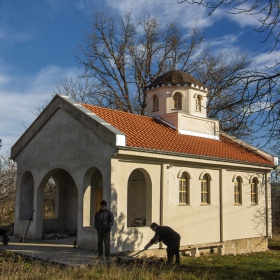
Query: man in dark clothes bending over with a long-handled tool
x=170, y=238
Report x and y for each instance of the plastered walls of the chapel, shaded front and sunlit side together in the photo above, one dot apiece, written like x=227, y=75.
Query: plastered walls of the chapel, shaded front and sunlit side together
x=64, y=143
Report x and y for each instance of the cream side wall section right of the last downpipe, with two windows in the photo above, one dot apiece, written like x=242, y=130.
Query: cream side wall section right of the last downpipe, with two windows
x=245, y=220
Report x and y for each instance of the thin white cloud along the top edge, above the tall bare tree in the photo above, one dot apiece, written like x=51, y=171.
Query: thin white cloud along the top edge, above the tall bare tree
x=185, y=14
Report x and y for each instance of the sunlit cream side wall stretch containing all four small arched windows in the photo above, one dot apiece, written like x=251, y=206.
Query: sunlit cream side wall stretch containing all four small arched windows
x=217, y=222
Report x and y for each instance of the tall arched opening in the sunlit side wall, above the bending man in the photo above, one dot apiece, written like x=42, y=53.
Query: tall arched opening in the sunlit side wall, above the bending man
x=139, y=198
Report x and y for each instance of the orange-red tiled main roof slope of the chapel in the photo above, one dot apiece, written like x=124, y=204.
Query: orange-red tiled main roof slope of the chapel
x=149, y=133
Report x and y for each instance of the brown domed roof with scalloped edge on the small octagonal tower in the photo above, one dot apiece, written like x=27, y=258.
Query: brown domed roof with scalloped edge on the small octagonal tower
x=176, y=78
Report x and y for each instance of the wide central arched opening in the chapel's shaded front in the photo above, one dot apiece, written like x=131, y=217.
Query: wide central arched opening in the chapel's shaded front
x=66, y=204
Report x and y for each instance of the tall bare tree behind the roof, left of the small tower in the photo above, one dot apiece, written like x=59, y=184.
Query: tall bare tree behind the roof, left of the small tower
x=122, y=56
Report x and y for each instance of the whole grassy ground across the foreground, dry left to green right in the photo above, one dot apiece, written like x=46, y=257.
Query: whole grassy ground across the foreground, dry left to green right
x=264, y=265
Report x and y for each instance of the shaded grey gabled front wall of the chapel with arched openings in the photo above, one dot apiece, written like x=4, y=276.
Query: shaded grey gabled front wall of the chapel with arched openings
x=63, y=143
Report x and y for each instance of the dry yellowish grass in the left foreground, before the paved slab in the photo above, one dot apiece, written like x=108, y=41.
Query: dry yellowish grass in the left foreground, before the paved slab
x=14, y=267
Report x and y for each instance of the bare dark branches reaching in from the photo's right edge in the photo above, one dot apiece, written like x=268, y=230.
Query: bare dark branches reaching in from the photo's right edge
x=260, y=92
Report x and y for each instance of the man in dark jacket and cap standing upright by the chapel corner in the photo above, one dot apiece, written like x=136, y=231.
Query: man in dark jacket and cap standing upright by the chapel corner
x=103, y=223
